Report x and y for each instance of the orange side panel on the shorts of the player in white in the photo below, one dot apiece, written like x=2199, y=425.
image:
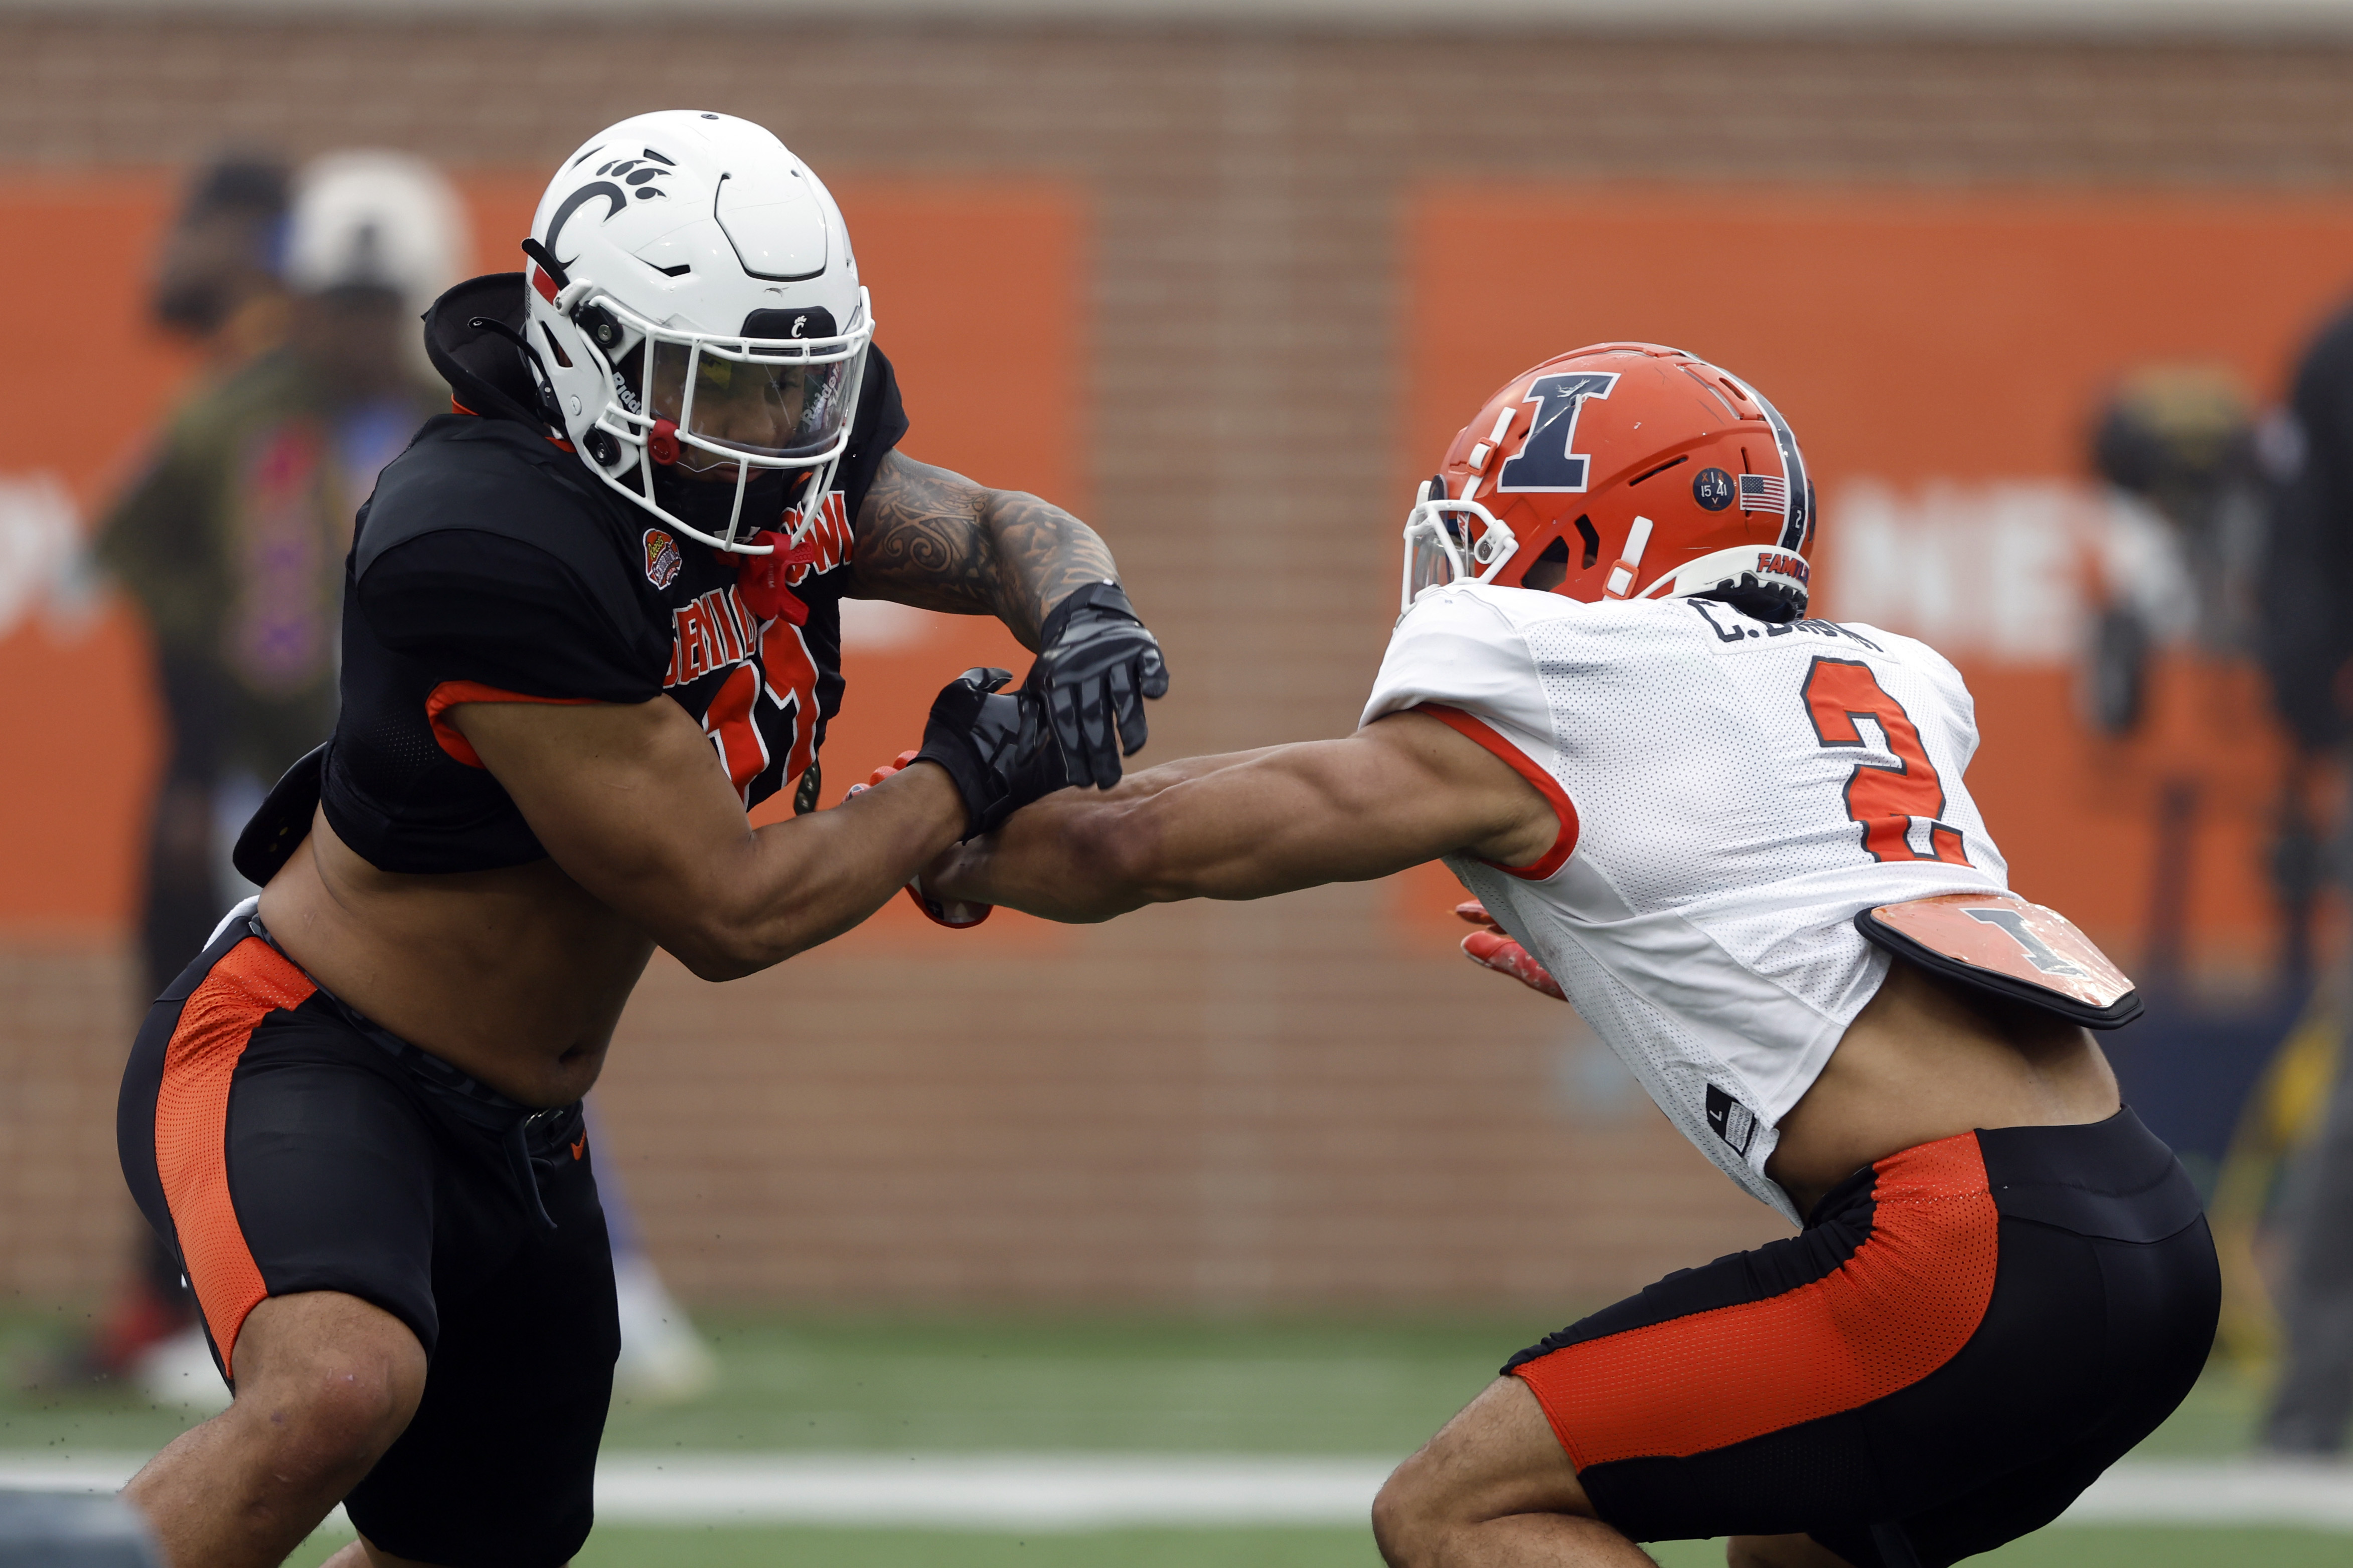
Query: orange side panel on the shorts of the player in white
x=1888, y=1318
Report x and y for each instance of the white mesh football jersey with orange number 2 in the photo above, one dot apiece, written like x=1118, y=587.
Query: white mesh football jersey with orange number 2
x=1731, y=796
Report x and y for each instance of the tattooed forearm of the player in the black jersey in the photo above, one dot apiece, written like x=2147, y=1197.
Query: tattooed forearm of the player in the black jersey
x=935, y=540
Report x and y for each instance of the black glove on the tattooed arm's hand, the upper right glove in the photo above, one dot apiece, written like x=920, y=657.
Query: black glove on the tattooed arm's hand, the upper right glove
x=1095, y=669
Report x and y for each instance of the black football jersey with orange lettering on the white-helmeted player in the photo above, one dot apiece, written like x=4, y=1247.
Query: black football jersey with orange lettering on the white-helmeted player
x=493, y=565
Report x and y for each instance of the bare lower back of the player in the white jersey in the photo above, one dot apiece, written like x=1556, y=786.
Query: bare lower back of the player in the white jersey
x=1926, y=1061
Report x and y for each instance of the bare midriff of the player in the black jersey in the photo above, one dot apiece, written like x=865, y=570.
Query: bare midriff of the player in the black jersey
x=516, y=977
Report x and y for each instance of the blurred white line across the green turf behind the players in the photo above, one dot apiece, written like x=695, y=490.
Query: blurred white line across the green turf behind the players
x=1072, y=1492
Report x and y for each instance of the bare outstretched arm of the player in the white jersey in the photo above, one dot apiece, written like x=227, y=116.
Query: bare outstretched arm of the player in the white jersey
x=1397, y=793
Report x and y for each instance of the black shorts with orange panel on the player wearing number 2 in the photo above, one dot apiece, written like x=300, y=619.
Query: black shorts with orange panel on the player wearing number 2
x=1961, y=1339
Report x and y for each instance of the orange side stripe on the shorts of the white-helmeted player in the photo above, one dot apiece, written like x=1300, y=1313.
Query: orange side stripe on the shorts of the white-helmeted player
x=192, y=1127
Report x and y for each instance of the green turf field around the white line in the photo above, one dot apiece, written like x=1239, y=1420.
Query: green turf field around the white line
x=1279, y=1388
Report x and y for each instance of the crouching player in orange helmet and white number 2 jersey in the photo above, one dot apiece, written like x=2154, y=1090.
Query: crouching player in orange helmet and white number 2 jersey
x=1740, y=845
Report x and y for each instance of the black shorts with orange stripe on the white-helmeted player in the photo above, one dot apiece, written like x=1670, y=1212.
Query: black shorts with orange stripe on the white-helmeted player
x=284, y=1144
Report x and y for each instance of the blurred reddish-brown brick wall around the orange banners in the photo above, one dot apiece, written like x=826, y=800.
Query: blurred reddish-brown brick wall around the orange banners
x=1204, y=1106
